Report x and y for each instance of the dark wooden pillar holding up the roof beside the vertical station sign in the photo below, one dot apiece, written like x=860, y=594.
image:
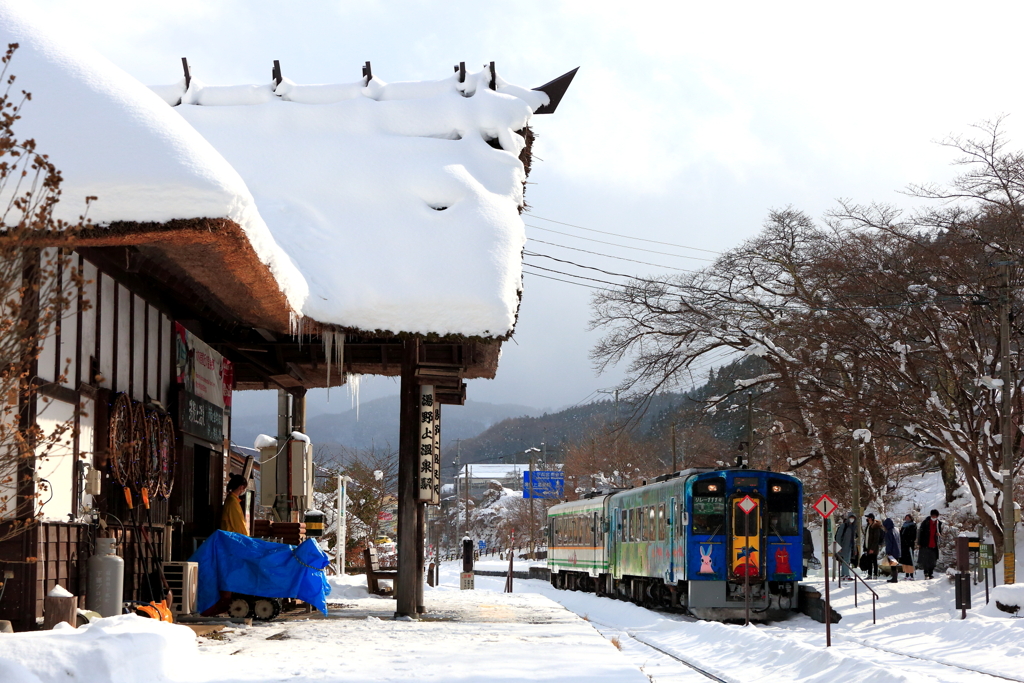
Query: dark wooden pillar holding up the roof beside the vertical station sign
x=409, y=584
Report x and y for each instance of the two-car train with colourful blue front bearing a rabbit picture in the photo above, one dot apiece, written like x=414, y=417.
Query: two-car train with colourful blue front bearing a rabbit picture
x=697, y=540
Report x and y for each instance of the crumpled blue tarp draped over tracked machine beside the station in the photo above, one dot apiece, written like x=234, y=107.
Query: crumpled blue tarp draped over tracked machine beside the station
x=234, y=563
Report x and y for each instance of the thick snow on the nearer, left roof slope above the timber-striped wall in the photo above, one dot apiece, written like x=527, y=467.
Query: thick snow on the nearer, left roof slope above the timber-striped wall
x=113, y=139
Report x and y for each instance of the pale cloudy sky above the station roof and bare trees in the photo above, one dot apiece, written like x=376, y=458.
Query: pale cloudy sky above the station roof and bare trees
x=687, y=124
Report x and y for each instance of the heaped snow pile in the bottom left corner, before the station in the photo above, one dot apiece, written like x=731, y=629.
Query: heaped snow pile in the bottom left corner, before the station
x=118, y=650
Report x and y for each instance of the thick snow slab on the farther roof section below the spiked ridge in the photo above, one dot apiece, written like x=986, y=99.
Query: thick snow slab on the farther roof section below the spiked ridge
x=387, y=196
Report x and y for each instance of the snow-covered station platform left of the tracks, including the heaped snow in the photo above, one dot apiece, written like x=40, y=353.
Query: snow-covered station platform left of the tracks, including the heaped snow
x=468, y=636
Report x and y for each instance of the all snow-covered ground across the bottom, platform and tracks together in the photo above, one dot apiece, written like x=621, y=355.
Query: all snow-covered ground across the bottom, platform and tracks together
x=485, y=635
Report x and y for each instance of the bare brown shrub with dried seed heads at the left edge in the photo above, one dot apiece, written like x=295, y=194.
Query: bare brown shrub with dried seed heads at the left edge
x=37, y=283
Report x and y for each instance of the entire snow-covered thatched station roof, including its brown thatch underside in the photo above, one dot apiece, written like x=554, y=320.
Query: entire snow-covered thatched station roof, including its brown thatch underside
x=372, y=207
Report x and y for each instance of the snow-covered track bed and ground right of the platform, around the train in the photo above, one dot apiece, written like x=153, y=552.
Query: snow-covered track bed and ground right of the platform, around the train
x=919, y=637
